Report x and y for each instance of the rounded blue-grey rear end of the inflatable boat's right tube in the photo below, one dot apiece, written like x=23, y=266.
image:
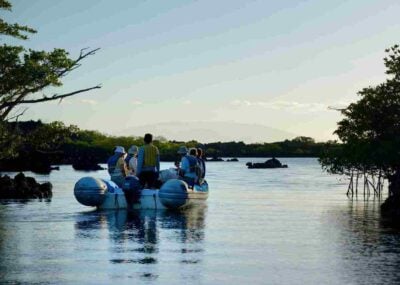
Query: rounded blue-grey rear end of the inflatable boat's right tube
x=173, y=194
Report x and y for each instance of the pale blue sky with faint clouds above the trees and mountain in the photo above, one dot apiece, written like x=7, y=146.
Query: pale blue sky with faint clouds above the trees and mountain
x=278, y=64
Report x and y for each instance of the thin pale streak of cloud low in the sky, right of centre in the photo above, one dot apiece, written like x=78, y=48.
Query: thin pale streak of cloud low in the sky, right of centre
x=282, y=105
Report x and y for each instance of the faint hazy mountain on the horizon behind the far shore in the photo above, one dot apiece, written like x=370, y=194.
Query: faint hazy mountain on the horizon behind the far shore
x=211, y=132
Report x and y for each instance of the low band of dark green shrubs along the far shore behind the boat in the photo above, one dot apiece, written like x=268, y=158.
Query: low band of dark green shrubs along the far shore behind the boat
x=38, y=146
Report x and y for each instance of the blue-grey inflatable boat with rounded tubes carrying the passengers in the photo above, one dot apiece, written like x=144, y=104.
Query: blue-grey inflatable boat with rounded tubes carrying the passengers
x=105, y=194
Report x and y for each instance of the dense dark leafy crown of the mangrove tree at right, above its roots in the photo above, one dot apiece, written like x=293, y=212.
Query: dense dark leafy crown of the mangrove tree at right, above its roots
x=370, y=129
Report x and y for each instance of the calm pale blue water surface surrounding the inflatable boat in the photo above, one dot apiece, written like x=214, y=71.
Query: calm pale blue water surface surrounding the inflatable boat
x=271, y=226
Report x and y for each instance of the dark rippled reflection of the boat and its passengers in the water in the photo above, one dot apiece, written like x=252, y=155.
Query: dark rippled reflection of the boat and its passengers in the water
x=141, y=240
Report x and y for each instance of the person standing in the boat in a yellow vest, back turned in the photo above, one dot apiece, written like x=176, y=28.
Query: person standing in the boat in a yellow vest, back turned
x=148, y=162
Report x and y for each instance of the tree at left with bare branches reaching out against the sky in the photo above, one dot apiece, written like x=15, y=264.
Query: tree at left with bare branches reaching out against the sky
x=26, y=73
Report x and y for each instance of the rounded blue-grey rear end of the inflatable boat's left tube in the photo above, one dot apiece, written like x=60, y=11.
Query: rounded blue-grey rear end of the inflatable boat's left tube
x=90, y=191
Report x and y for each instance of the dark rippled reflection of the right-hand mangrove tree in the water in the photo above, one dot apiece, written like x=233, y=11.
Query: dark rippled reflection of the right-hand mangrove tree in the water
x=369, y=247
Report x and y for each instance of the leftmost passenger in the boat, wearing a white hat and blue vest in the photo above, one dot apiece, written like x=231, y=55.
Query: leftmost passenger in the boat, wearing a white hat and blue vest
x=117, y=166
